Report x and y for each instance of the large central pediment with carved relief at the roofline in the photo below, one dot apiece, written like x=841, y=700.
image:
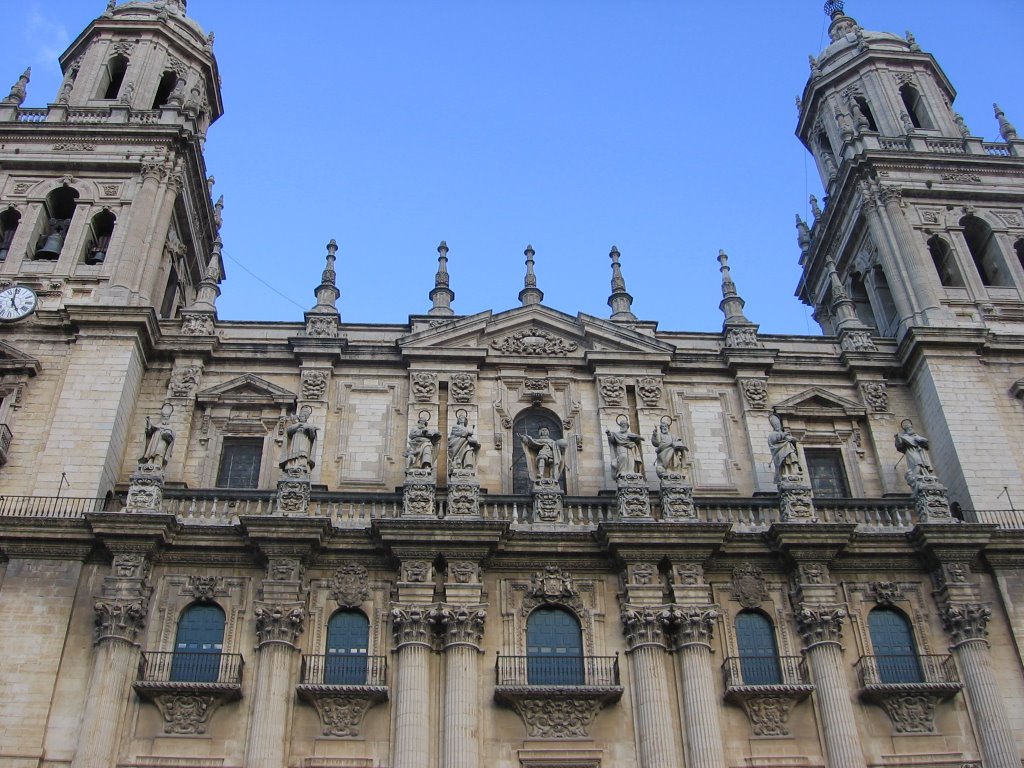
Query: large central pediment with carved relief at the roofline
x=534, y=332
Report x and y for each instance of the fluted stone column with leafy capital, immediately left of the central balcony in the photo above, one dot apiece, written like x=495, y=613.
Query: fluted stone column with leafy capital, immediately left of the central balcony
x=463, y=632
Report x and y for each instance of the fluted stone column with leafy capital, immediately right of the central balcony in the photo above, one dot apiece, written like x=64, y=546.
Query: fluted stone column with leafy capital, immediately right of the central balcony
x=647, y=648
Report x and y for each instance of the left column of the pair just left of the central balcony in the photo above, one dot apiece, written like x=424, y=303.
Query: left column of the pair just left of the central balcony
x=412, y=698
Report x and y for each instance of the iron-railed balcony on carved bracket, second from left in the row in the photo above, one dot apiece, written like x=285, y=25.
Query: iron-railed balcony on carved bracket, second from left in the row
x=344, y=688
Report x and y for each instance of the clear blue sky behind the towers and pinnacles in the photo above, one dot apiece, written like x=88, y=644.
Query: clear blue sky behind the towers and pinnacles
x=664, y=129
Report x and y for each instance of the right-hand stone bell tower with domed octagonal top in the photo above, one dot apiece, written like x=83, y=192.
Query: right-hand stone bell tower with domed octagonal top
x=921, y=236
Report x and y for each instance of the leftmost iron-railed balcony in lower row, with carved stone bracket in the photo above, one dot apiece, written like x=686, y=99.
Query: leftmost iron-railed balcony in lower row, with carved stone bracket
x=188, y=688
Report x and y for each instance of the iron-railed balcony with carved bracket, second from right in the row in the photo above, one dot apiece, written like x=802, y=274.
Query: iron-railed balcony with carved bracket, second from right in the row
x=767, y=689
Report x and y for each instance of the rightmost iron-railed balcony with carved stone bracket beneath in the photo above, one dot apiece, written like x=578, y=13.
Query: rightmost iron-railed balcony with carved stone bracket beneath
x=909, y=688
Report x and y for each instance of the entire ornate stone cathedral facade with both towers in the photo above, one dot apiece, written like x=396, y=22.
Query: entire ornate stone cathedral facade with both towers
x=520, y=539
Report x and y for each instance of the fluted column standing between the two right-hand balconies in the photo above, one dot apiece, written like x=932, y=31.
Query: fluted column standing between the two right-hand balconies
x=821, y=629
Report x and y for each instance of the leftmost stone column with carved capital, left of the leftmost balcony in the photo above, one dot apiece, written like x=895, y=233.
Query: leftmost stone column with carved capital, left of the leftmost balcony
x=121, y=612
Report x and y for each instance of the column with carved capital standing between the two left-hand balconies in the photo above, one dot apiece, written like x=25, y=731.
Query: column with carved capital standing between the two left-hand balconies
x=280, y=620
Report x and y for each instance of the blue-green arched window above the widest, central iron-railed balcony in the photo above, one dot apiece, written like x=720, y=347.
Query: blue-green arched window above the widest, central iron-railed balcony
x=554, y=649
